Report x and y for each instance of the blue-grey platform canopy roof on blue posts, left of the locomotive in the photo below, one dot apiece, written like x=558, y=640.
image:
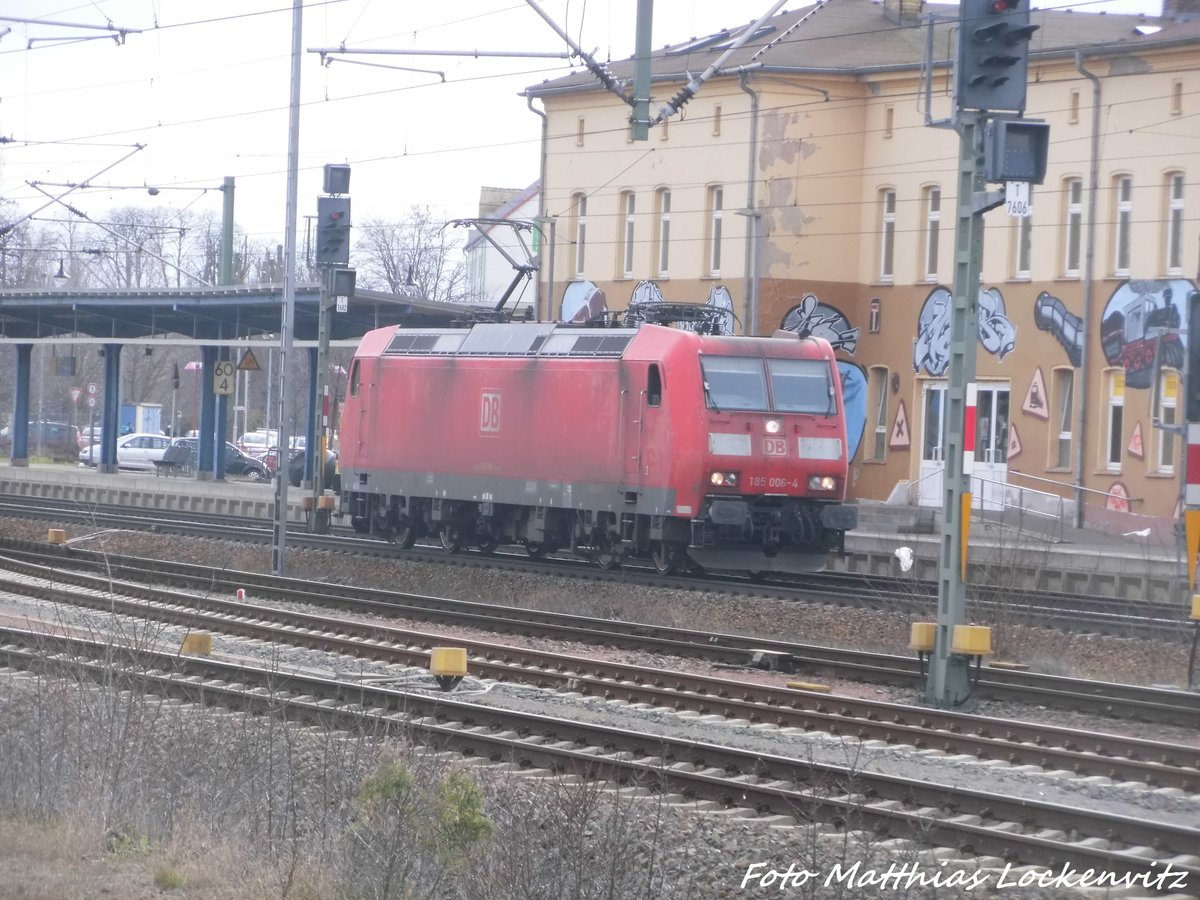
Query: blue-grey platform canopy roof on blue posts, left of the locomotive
x=208, y=314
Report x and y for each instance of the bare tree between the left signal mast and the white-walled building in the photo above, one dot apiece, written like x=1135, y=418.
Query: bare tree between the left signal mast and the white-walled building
x=419, y=248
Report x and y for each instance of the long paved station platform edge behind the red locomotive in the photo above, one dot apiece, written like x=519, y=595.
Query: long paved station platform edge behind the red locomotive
x=1001, y=555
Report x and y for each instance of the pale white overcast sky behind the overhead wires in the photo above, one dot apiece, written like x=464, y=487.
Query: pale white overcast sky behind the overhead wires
x=206, y=88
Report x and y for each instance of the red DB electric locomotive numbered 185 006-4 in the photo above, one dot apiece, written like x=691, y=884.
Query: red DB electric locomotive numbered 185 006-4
x=727, y=453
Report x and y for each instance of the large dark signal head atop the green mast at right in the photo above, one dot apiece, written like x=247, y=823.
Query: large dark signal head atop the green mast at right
x=994, y=55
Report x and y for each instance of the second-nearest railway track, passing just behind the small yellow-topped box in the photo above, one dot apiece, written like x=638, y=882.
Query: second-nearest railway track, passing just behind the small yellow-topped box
x=1048, y=748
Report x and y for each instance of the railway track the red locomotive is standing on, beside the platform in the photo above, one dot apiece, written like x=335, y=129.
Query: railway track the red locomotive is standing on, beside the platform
x=1090, y=615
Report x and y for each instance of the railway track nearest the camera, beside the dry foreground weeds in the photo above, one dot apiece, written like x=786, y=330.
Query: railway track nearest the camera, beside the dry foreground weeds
x=975, y=823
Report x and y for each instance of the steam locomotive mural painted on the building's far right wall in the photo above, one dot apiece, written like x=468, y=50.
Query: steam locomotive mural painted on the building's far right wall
x=1141, y=328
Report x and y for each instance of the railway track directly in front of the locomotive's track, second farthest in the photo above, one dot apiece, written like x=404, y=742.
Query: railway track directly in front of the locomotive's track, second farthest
x=1136, y=703
